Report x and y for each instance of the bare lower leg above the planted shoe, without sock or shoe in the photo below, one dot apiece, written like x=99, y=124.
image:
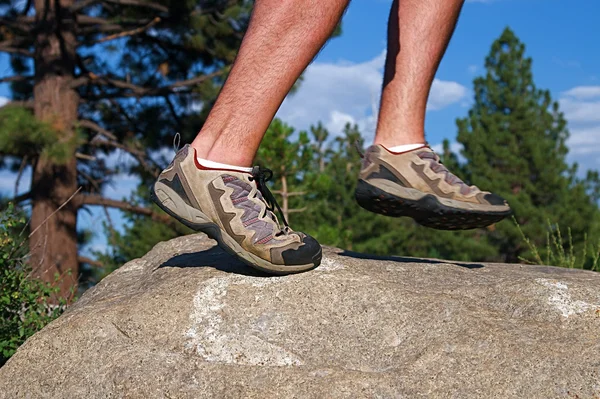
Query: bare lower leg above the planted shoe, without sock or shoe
x=282, y=39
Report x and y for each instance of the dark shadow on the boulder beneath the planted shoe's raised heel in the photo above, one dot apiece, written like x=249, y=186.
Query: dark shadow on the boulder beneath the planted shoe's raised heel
x=216, y=258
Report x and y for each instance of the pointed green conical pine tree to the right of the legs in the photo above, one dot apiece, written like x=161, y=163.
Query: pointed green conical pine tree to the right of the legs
x=514, y=142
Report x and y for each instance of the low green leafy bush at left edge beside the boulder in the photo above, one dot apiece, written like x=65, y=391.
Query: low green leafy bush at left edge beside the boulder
x=25, y=303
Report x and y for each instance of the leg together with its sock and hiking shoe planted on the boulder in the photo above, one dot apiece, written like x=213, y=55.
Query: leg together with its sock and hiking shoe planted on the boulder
x=209, y=186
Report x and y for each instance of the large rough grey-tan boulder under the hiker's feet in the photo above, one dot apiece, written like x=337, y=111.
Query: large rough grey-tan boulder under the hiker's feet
x=188, y=321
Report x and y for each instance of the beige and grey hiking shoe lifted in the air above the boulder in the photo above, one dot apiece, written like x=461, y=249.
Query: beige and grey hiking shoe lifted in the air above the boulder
x=417, y=185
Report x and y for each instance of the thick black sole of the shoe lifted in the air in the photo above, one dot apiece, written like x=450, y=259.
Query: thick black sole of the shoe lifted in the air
x=427, y=211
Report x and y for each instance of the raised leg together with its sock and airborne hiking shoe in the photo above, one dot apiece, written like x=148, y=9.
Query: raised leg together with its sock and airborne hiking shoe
x=401, y=175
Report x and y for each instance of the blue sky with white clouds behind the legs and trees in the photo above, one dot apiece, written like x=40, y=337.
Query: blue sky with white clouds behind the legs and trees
x=342, y=85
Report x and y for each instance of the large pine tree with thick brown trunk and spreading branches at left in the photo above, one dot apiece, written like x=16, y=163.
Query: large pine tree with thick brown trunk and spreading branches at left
x=95, y=76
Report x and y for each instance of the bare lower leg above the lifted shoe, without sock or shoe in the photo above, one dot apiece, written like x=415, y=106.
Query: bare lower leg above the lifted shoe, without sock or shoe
x=418, y=34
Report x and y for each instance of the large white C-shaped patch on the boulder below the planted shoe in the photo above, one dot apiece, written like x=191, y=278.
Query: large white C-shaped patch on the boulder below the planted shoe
x=216, y=341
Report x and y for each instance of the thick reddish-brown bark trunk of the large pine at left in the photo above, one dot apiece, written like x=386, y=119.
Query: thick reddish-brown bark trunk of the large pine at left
x=53, y=246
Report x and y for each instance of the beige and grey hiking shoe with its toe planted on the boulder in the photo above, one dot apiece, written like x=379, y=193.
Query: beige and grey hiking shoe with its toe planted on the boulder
x=237, y=210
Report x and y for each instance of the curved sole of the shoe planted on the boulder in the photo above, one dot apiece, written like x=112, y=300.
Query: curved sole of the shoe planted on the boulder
x=170, y=202
